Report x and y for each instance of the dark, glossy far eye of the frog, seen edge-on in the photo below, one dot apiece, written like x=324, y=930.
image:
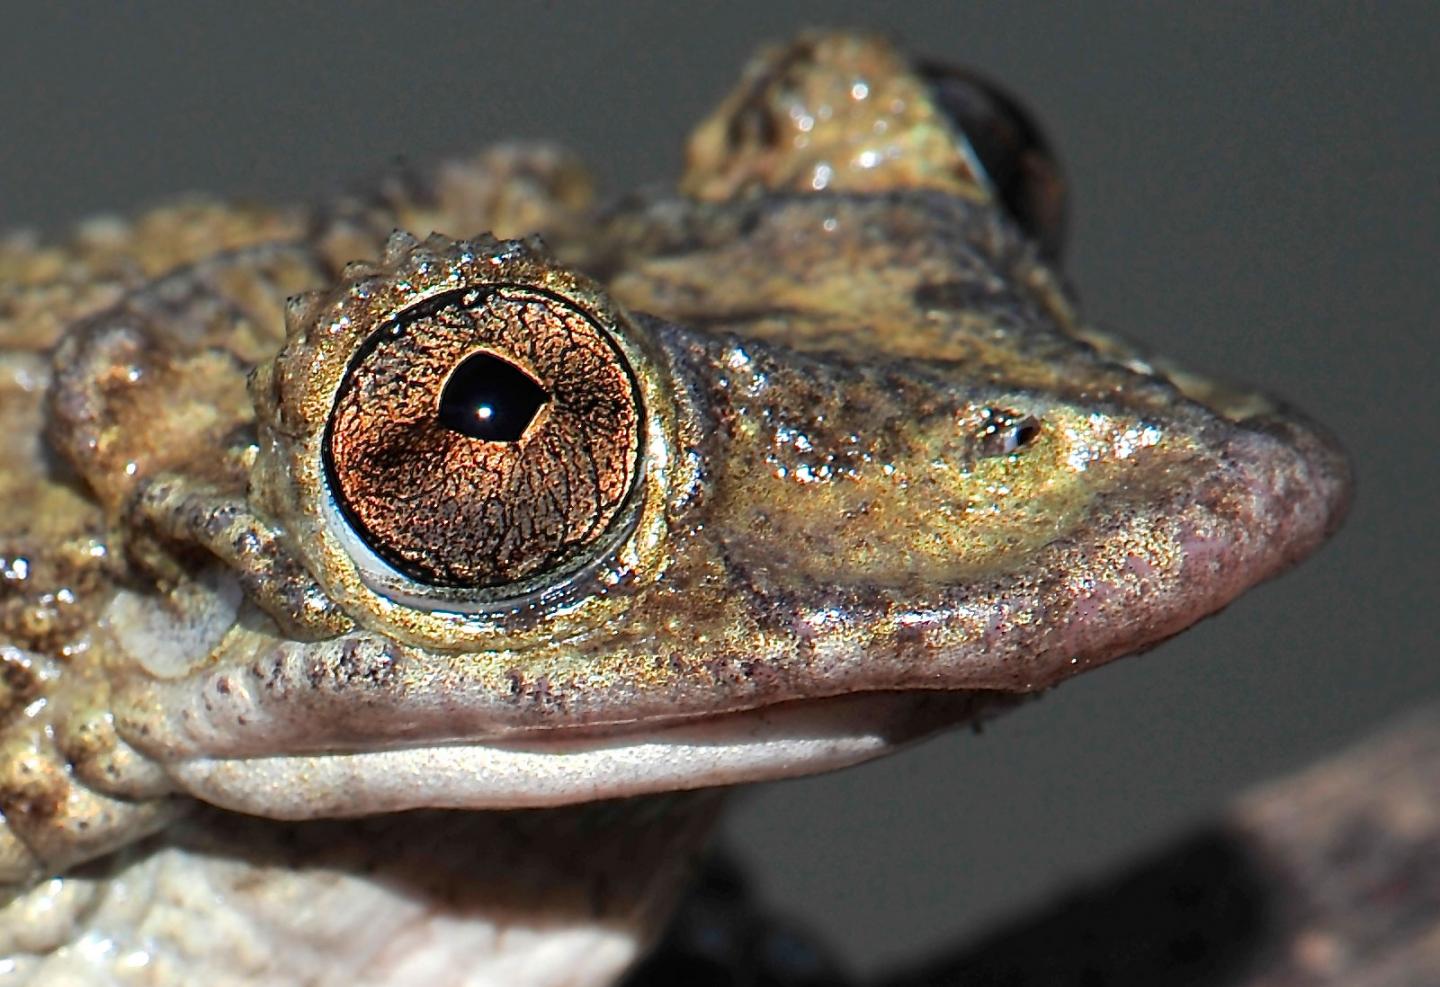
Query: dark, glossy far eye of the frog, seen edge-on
x=1010, y=148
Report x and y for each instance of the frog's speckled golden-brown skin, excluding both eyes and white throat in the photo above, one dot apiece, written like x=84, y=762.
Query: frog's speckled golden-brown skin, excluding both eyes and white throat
x=834, y=332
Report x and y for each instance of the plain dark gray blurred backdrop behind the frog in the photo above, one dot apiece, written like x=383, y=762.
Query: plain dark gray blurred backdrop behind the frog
x=1256, y=192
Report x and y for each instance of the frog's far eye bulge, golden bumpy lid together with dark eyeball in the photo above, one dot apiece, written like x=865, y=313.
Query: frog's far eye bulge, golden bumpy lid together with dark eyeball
x=850, y=113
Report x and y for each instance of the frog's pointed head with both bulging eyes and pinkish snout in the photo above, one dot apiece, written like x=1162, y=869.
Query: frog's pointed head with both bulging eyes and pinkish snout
x=755, y=481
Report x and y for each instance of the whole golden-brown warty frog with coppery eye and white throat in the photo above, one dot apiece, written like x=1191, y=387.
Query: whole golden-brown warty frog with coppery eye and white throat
x=394, y=587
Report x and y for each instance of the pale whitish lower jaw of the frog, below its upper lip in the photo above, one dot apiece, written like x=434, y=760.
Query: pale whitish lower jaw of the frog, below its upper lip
x=781, y=741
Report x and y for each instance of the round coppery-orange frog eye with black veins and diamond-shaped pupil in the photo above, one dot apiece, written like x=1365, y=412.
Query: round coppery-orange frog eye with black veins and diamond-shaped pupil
x=485, y=439
